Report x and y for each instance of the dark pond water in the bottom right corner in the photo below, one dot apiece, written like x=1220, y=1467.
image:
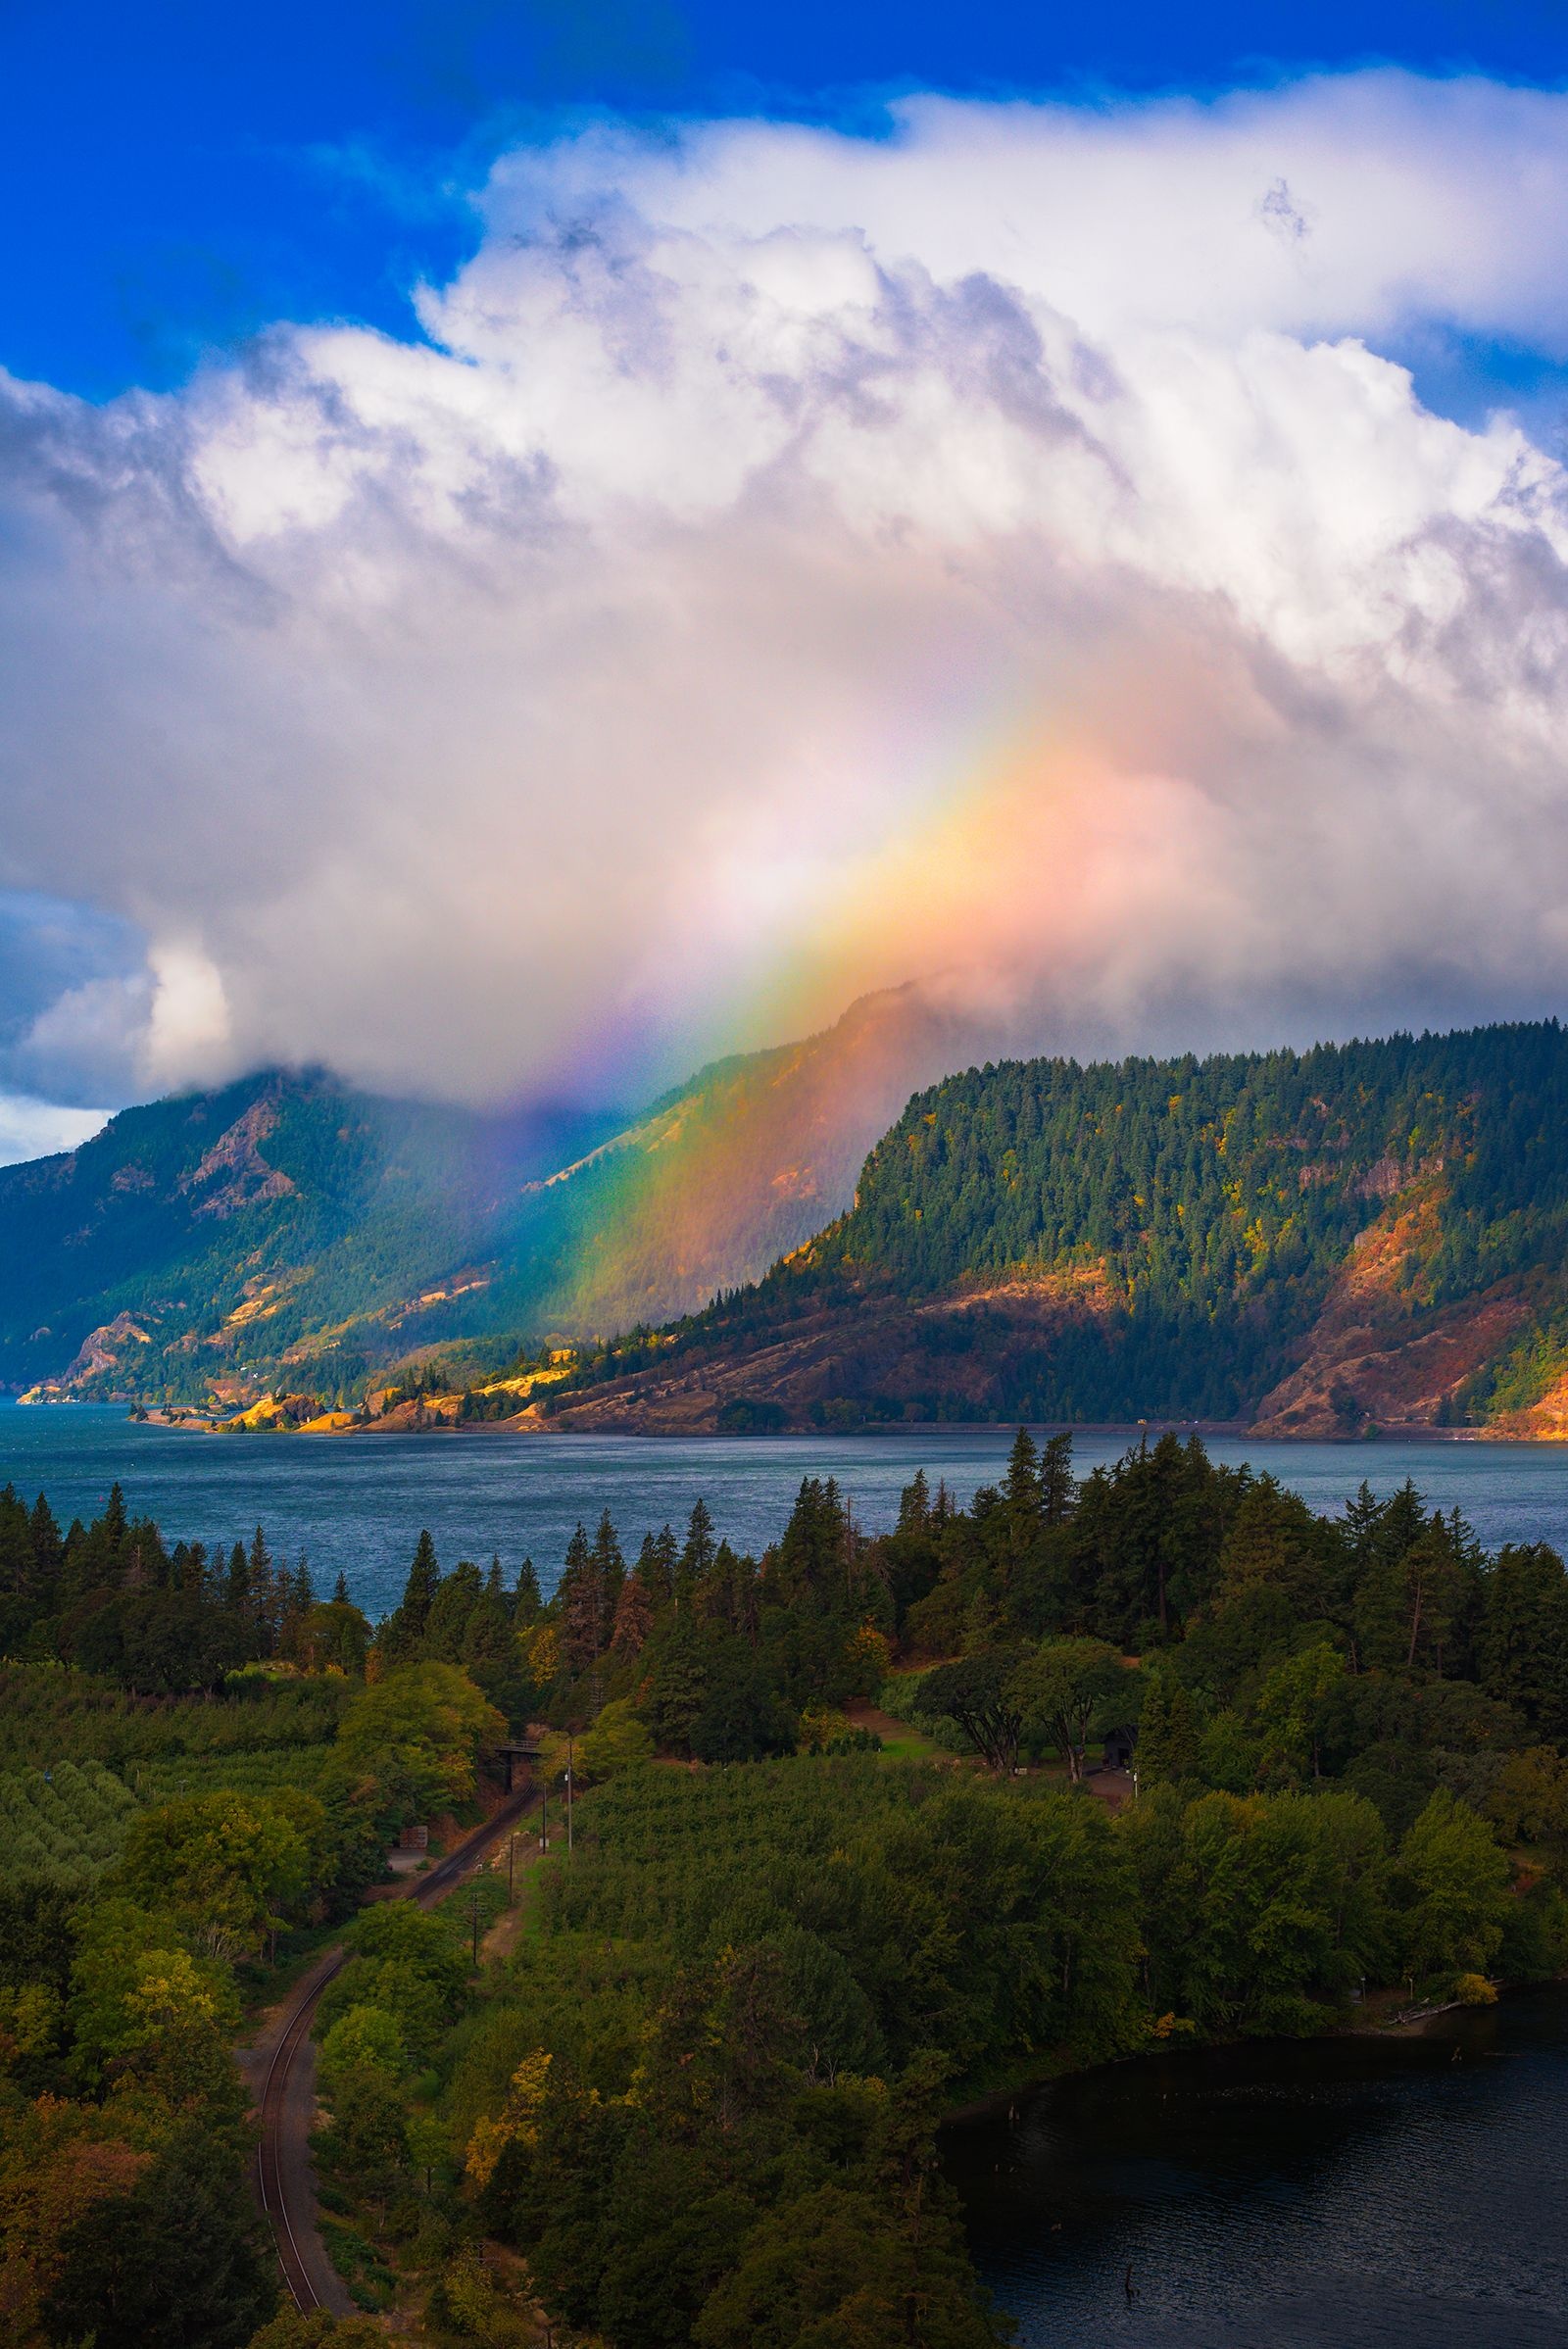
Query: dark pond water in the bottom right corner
x=1344, y=2195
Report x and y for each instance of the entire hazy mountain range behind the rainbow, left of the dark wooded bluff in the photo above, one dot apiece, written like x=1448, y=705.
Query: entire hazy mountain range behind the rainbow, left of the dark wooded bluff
x=288, y=1232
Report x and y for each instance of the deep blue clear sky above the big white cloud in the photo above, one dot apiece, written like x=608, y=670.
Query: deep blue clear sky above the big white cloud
x=177, y=177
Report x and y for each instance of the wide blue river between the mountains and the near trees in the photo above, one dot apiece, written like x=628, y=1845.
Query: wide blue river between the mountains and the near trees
x=356, y=1505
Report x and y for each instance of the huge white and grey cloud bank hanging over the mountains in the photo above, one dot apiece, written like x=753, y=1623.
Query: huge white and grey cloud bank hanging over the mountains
x=1003, y=551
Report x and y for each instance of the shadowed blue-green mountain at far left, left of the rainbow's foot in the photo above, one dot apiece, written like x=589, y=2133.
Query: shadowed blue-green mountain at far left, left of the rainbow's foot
x=210, y=1232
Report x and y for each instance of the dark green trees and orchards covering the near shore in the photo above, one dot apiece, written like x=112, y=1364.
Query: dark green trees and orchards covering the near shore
x=696, y=2099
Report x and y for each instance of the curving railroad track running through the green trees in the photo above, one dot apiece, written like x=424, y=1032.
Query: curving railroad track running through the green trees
x=288, y=2096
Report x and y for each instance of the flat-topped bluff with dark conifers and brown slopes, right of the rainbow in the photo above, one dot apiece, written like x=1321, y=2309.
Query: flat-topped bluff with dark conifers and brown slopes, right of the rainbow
x=1316, y=1244
